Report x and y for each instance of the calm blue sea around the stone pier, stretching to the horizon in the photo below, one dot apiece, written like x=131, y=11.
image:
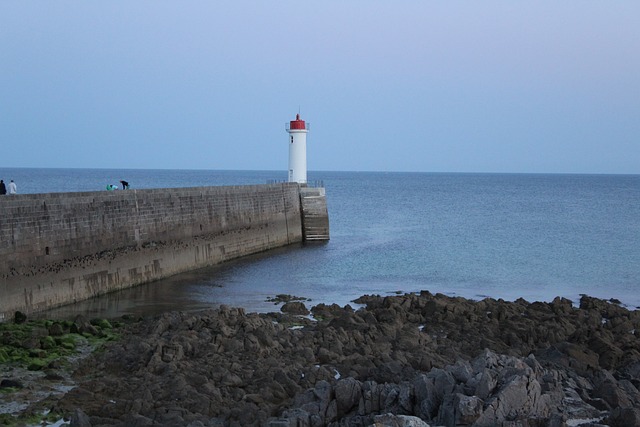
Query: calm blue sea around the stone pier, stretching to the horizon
x=473, y=235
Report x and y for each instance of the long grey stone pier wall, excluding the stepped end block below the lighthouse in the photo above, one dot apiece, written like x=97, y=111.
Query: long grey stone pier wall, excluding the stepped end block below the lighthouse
x=59, y=248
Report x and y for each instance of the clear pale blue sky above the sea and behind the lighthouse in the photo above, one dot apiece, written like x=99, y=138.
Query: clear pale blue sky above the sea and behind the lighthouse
x=424, y=86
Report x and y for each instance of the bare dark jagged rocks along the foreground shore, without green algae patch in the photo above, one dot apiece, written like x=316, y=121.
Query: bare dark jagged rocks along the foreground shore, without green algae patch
x=414, y=359
